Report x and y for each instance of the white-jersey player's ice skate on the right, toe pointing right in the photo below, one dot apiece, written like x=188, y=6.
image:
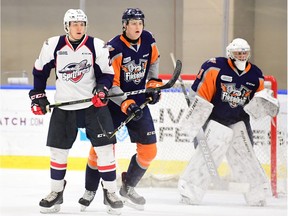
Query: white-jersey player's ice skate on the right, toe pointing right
x=113, y=202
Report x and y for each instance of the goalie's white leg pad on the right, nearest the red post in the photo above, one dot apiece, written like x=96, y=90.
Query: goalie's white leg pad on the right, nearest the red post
x=245, y=166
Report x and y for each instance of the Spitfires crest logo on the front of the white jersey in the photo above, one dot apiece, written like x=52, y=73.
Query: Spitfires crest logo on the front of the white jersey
x=75, y=71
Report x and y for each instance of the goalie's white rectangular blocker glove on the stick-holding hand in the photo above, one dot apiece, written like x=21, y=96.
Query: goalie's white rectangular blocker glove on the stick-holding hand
x=196, y=116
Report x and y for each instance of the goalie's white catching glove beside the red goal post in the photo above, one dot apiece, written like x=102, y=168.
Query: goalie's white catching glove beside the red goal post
x=262, y=104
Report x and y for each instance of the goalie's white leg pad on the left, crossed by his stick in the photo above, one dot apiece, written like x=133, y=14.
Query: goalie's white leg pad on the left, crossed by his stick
x=196, y=177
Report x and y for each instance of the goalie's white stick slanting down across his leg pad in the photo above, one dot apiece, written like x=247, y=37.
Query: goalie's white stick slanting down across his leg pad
x=205, y=150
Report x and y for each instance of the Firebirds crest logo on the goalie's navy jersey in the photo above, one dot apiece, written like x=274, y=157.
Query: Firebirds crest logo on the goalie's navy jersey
x=235, y=97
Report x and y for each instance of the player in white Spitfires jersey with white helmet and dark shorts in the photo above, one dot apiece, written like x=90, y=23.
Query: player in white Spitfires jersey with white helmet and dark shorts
x=83, y=70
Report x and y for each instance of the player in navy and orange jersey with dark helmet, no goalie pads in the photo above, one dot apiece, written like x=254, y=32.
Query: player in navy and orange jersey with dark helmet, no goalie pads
x=135, y=59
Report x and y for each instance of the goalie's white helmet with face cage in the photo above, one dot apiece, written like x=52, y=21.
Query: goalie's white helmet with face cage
x=239, y=51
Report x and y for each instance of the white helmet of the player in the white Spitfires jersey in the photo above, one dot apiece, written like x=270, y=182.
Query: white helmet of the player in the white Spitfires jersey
x=74, y=15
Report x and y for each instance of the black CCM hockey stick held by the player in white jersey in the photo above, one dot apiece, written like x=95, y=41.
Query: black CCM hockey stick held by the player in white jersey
x=167, y=85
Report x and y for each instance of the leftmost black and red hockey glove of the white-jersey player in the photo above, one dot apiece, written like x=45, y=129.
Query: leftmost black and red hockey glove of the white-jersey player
x=39, y=102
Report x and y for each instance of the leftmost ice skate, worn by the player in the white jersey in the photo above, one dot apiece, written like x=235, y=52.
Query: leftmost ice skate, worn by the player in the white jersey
x=51, y=203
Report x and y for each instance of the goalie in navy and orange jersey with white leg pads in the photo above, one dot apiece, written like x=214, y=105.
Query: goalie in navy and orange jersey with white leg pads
x=226, y=94
